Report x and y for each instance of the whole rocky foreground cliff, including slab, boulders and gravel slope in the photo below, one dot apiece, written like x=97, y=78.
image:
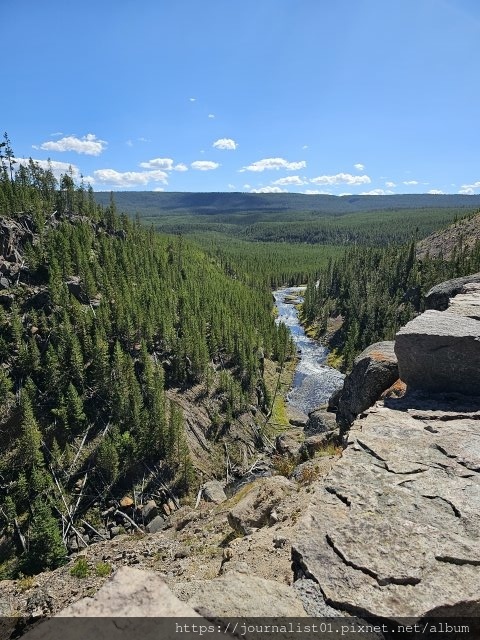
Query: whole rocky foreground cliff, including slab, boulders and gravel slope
x=387, y=530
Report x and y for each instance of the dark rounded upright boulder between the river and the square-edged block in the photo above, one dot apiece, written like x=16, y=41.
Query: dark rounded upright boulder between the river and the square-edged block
x=374, y=371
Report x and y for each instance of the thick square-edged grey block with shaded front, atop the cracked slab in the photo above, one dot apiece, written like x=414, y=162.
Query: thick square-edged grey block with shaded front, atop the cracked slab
x=440, y=351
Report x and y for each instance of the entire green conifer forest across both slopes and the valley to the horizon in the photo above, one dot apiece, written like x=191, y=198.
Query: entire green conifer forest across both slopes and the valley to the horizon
x=110, y=317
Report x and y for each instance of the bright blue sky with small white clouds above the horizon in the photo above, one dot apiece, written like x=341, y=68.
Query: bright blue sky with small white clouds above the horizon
x=338, y=96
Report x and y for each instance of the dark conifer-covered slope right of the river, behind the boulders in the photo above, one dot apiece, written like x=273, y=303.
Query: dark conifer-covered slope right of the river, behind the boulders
x=369, y=293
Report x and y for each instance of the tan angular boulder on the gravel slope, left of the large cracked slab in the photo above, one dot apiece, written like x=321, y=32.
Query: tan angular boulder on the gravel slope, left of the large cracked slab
x=260, y=499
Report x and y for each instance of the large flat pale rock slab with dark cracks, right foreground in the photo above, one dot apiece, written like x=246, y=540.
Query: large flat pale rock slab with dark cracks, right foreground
x=393, y=531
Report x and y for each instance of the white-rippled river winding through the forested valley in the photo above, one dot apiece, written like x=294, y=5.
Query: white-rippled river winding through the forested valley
x=314, y=380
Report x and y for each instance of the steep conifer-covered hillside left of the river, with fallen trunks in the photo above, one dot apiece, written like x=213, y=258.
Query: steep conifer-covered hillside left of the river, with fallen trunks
x=99, y=320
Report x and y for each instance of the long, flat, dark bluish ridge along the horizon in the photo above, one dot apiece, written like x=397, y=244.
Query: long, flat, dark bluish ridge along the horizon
x=205, y=203
